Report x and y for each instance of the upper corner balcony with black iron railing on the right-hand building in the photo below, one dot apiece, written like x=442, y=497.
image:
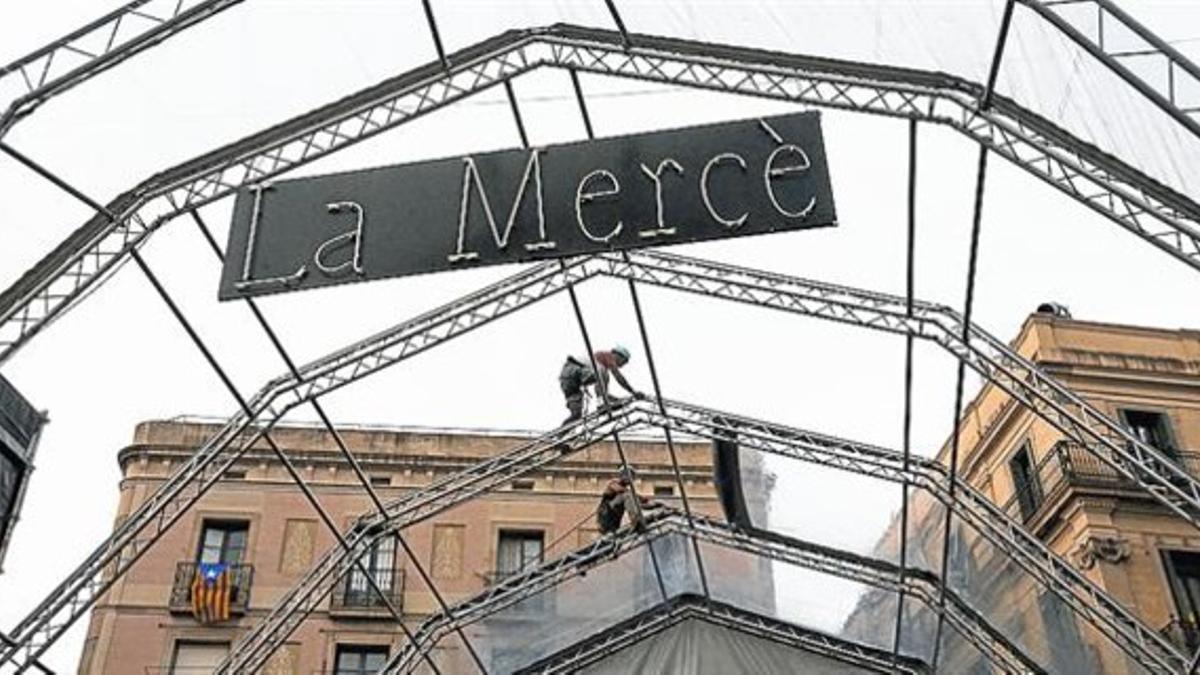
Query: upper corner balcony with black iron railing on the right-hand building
x=1070, y=468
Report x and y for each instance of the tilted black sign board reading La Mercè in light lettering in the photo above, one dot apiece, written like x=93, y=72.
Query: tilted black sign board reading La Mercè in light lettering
x=729, y=180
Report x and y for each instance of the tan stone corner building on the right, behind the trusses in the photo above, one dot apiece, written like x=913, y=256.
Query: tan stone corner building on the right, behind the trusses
x=1130, y=545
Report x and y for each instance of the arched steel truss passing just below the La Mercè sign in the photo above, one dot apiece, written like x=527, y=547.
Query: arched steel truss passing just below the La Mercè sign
x=987, y=355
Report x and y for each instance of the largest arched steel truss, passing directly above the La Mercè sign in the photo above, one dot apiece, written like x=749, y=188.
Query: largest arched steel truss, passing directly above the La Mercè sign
x=1114, y=189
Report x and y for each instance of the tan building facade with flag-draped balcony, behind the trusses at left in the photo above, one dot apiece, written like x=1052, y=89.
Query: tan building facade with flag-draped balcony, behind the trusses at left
x=257, y=522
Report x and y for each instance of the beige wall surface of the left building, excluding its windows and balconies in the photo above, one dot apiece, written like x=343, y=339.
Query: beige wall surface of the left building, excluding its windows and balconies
x=133, y=632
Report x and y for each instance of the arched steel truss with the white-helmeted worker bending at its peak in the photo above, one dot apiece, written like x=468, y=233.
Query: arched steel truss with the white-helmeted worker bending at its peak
x=1143, y=644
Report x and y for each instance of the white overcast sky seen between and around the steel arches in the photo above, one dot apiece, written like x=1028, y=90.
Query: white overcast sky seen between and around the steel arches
x=121, y=359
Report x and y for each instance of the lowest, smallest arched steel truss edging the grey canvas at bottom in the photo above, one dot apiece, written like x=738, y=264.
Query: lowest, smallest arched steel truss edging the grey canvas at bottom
x=694, y=607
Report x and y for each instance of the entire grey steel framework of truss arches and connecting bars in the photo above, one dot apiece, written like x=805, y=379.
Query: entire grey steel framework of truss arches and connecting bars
x=1120, y=190
